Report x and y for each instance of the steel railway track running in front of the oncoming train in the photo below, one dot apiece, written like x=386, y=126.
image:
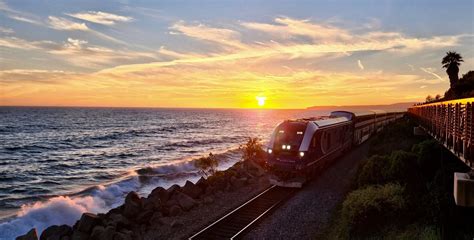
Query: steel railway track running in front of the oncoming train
x=239, y=220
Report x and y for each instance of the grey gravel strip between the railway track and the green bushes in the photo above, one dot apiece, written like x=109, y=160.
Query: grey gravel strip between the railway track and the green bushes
x=305, y=214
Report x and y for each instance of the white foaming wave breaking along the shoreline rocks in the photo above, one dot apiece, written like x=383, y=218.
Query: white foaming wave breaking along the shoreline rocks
x=101, y=198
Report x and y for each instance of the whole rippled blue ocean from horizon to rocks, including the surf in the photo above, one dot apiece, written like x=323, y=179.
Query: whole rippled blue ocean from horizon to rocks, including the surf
x=58, y=162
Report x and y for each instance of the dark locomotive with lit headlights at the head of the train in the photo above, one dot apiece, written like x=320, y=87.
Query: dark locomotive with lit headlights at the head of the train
x=298, y=148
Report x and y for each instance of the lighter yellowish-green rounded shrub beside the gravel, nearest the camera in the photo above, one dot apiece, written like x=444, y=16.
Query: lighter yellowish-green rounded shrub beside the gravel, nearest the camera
x=365, y=210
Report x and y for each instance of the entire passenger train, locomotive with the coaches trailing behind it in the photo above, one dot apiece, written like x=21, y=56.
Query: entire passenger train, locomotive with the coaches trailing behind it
x=299, y=148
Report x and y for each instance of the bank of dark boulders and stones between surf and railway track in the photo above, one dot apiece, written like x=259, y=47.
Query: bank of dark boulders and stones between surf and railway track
x=173, y=213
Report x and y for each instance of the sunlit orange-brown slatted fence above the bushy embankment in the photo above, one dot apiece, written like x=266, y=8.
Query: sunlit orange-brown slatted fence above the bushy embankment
x=451, y=123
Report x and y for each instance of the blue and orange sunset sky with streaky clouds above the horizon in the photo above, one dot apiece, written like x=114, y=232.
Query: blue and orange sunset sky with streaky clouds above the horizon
x=229, y=54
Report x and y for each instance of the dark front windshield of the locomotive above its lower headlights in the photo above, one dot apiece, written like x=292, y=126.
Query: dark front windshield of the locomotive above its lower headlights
x=290, y=133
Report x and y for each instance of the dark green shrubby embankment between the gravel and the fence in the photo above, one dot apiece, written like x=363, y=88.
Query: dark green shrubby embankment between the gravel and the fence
x=403, y=190
